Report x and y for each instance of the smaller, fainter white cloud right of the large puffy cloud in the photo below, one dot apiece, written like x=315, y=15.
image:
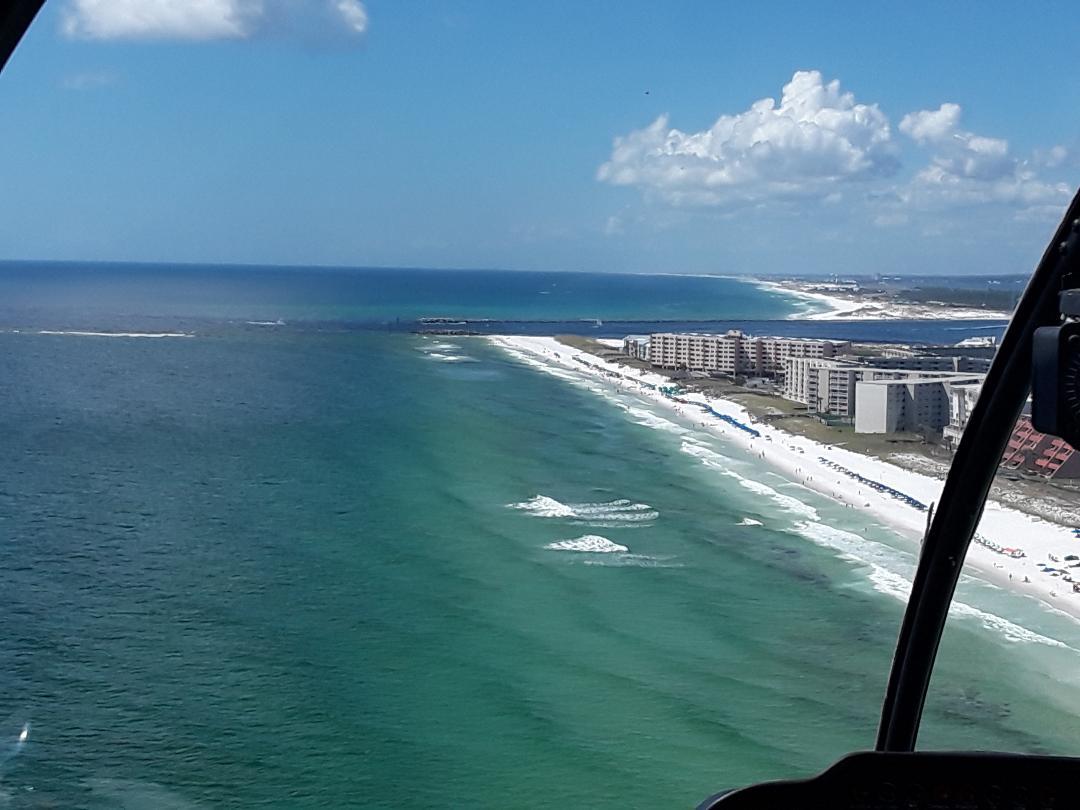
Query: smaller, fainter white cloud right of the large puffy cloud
x=966, y=168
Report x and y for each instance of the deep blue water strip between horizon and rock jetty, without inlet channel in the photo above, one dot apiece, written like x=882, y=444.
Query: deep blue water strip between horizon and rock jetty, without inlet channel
x=368, y=296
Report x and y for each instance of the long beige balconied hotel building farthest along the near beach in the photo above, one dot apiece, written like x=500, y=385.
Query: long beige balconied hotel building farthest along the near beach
x=736, y=354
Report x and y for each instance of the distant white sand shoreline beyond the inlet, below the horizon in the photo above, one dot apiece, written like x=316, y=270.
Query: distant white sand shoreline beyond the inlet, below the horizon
x=844, y=308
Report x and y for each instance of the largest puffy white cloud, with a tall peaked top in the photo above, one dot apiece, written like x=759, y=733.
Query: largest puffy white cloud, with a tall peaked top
x=809, y=145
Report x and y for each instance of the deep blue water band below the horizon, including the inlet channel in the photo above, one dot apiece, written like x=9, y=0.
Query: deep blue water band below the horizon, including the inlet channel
x=212, y=300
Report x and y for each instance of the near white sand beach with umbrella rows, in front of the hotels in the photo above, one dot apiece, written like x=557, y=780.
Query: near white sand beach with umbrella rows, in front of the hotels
x=831, y=471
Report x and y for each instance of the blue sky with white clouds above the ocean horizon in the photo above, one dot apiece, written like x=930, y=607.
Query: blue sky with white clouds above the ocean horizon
x=615, y=137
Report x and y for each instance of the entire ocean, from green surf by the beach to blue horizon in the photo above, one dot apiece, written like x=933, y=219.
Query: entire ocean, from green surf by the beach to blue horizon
x=328, y=564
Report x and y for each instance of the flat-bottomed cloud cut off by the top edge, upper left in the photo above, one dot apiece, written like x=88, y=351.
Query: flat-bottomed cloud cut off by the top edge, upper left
x=202, y=20
